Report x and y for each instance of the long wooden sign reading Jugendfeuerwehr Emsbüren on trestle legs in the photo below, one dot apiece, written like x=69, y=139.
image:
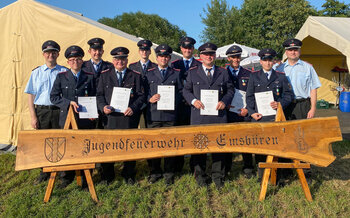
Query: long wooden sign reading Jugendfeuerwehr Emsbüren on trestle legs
x=71, y=149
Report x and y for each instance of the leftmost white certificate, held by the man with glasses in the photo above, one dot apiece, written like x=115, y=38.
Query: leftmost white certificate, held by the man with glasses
x=87, y=107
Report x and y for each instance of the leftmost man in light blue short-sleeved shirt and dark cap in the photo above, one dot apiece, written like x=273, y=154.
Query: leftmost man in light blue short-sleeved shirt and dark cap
x=44, y=115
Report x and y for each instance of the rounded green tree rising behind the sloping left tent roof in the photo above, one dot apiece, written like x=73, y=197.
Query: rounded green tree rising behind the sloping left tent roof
x=148, y=26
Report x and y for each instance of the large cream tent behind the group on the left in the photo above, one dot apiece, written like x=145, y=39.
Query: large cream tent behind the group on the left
x=25, y=25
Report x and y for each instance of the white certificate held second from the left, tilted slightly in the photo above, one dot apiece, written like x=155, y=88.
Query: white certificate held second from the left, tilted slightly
x=120, y=99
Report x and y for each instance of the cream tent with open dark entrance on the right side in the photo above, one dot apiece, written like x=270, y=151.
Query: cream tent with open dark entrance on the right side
x=326, y=44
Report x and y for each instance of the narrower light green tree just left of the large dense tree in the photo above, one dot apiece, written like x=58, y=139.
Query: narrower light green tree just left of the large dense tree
x=221, y=21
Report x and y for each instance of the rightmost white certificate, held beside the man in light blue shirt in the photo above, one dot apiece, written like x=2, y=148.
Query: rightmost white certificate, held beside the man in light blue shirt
x=263, y=100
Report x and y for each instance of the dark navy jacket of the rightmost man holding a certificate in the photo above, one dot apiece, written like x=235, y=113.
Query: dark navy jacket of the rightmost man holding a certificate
x=278, y=84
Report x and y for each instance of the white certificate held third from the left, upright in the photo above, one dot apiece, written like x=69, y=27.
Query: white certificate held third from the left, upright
x=167, y=98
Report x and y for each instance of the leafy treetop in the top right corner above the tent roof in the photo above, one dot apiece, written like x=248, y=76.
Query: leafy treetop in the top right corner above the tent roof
x=334, y=8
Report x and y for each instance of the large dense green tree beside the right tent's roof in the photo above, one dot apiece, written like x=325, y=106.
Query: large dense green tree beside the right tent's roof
x=267, y=23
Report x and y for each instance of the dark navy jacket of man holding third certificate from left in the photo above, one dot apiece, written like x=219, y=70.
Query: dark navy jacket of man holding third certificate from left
x=153, y=79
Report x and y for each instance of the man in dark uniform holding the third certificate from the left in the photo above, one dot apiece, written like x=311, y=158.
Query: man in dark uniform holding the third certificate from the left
x=162, y=75
